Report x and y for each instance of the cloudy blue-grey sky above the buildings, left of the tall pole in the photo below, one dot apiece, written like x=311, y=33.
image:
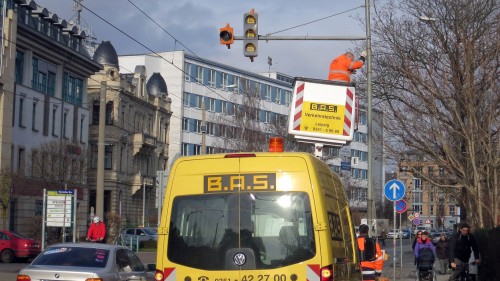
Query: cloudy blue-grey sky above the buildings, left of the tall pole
x=193, y=26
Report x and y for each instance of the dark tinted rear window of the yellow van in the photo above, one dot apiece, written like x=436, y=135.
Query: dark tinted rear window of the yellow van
x=274, y=229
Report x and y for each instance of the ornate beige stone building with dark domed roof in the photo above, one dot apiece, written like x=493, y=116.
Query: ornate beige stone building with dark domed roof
x=137, y=125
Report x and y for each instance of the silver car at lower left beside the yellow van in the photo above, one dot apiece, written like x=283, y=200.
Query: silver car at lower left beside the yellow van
x=84, y=261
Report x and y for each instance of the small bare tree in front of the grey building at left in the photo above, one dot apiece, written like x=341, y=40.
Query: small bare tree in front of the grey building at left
x=59, y=162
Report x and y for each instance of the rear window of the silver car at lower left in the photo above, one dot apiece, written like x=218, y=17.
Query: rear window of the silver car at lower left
x=73, y=256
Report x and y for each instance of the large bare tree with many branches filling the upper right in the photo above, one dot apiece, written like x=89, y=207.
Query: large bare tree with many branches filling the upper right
x=436, y=72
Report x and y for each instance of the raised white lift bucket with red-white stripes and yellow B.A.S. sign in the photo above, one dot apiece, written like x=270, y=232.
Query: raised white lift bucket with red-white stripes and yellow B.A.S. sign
x=323, y=111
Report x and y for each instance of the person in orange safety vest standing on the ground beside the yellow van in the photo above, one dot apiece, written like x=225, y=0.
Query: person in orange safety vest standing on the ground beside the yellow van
x=372, y=260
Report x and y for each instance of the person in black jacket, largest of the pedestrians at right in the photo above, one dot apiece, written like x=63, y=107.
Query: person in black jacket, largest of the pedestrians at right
x=460, y=248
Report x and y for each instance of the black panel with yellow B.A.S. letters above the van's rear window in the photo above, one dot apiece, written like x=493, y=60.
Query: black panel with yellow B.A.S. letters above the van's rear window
x=239, y=182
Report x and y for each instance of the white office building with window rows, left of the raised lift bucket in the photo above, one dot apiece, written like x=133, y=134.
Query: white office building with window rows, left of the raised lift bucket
x=215, y=107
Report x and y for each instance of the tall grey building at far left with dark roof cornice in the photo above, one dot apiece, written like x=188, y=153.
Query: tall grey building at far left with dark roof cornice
x=44, y=109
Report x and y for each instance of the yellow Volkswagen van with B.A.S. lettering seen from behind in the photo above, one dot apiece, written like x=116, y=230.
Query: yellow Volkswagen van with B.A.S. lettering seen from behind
x=268, y=216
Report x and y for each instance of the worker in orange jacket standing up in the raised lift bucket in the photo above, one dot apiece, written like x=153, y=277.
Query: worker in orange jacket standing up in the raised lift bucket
x=344, y=65
